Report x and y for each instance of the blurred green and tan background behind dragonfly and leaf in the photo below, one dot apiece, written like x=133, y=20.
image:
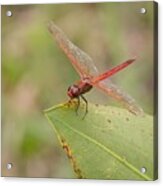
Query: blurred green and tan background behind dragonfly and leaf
x=36, y=73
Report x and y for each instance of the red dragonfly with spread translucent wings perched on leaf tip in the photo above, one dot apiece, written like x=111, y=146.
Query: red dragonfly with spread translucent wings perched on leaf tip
x=89, y=75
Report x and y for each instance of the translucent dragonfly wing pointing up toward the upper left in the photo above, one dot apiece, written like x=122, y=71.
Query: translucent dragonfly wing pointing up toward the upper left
x=82, y=62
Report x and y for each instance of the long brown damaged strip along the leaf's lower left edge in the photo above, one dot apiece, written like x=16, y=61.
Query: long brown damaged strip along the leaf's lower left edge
x=68, y=151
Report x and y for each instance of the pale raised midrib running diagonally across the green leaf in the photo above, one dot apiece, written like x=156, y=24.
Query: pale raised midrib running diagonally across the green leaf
x=106, y=149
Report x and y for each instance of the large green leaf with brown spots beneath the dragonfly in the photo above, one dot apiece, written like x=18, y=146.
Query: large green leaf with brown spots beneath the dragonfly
x=109, y=143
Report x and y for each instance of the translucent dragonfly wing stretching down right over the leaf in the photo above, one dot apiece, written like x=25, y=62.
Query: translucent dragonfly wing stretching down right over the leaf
x=126, y=100
